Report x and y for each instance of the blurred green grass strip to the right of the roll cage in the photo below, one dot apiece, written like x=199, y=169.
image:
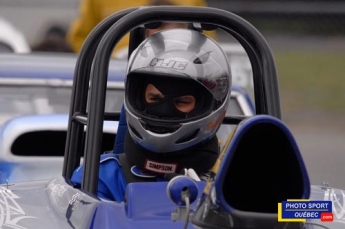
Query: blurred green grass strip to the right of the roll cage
x=311, y=80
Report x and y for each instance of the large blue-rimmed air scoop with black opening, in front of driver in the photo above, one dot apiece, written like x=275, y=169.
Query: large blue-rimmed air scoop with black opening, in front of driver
x=262, y=167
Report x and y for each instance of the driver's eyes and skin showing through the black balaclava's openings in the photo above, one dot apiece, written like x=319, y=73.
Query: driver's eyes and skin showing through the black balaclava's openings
x=184, y=103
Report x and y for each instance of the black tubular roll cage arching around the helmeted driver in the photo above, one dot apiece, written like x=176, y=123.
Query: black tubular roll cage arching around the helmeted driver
x=91, y=72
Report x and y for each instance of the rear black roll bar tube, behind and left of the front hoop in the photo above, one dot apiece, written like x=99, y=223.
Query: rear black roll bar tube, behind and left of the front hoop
x=74, y=141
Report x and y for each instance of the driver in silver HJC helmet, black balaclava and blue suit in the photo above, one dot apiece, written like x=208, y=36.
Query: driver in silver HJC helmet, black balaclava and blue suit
x=177, y=90
